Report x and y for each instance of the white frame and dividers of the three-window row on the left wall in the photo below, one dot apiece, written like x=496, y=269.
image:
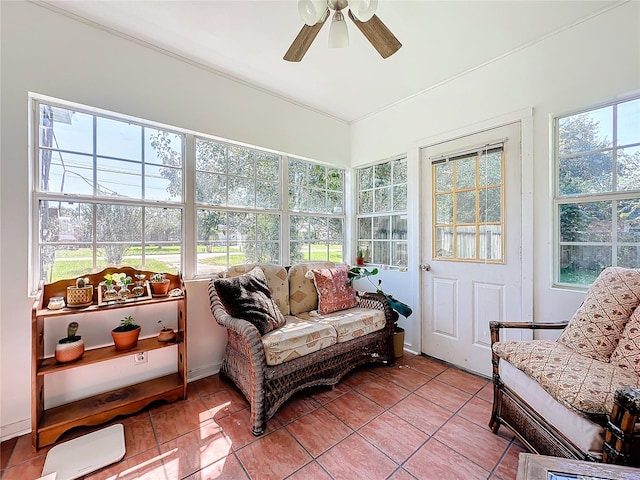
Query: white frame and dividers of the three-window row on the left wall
x=188, y=206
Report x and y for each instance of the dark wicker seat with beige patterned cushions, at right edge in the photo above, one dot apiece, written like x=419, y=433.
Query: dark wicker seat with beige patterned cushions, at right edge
x=577, y=397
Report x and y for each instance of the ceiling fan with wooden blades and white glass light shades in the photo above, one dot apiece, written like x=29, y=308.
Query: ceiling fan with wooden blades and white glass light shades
x=314, y=13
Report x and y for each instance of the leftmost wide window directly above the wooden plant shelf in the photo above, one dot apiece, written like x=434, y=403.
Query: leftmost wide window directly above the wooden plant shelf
x=100, y=186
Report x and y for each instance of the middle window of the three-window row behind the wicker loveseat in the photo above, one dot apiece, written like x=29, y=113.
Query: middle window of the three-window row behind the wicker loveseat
x=238, y=205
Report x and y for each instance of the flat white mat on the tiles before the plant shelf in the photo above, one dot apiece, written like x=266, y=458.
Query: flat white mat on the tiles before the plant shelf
x=85, y=454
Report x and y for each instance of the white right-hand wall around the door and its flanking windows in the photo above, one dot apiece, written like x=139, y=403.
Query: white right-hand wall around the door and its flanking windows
x=595, y=61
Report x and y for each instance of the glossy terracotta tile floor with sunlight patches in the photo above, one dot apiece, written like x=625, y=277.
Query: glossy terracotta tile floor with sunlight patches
x=421, y=419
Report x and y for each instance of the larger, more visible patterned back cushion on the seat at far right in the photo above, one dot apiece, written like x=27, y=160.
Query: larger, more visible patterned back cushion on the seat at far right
x=594, y=330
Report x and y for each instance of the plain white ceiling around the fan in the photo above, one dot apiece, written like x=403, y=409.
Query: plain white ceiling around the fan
x=246, y=39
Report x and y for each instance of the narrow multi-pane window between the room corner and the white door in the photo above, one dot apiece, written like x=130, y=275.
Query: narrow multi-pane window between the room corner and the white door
x=382, y=213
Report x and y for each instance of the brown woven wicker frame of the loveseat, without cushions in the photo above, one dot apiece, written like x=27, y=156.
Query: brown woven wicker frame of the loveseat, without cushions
x=268, y=387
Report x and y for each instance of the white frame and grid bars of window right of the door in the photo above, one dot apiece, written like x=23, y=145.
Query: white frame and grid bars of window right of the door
x=612, y=196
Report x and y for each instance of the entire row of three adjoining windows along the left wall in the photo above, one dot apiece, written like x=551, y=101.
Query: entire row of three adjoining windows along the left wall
x=111, y=190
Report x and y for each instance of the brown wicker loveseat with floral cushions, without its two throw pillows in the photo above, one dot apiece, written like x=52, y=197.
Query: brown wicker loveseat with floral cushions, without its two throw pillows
x=310, y=349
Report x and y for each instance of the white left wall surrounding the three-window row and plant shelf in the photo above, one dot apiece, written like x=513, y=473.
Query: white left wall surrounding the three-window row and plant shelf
x=50, y=54
